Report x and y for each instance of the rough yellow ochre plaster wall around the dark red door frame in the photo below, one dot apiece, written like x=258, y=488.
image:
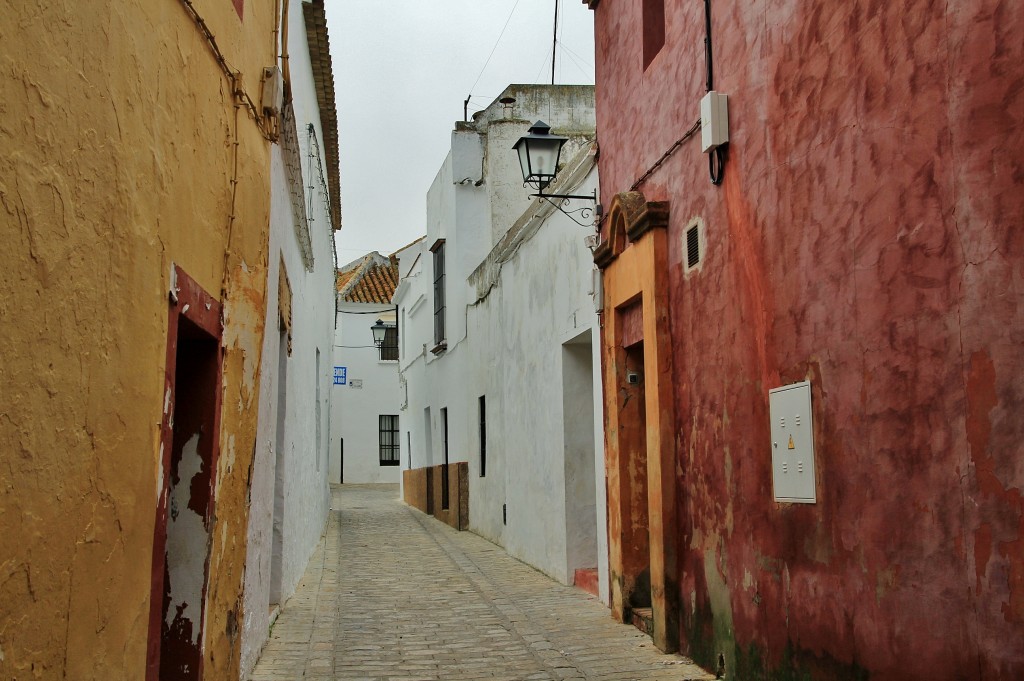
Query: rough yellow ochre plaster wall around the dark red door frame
x=118, y=135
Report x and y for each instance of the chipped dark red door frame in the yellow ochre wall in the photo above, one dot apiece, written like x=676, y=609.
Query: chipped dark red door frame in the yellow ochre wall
x=190, y=302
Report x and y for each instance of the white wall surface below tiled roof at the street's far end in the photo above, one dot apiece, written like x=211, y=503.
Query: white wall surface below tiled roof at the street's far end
x=371, y=390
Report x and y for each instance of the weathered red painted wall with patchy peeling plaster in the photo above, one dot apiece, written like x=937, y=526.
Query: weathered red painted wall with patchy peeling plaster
x=869, y=236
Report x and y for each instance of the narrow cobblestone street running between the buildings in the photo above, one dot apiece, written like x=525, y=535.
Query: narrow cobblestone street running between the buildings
x=394, y=595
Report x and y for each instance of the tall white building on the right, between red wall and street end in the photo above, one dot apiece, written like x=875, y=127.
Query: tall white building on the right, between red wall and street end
x=500, y=364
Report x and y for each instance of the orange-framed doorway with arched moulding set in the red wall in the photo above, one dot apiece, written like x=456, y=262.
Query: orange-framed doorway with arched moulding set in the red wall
x=639, y=432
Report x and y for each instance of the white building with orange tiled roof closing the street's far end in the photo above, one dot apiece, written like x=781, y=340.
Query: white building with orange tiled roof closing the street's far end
x=366, y=420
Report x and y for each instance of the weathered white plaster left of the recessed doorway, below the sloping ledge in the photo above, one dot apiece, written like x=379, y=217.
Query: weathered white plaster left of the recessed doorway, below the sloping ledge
x=527, y=312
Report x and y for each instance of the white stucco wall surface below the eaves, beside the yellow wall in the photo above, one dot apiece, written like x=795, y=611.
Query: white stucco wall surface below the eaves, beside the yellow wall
x=300, y=482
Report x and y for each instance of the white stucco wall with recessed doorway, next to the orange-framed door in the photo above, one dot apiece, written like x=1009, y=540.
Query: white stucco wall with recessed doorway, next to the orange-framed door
x=534, y=329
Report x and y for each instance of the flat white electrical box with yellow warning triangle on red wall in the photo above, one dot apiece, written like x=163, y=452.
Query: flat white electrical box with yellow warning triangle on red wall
x=792, y=444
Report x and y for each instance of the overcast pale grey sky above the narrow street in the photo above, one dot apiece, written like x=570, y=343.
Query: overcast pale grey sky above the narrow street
x=402, y=71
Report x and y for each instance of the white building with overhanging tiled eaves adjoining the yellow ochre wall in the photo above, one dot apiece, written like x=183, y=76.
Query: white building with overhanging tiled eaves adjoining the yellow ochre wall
x=290, y=497
